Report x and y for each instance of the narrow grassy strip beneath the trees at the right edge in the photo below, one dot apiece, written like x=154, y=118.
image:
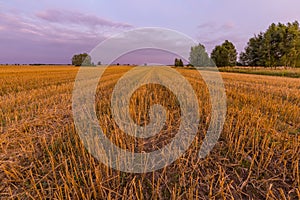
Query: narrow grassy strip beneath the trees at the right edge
x=279, y=71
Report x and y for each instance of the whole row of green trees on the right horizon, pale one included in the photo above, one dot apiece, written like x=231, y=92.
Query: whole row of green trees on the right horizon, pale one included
x=278, y=46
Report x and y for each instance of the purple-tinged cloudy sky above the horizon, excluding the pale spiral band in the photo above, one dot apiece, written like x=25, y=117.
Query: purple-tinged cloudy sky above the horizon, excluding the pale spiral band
x=52, y=31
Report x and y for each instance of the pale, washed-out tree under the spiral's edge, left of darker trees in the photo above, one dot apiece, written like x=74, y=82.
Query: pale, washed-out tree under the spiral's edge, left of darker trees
x=199, y=57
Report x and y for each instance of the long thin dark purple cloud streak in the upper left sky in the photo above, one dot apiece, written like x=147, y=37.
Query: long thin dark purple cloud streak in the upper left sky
x=66, y=17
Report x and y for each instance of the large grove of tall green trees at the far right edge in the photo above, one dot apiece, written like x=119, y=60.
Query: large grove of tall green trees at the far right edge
x=278, y=46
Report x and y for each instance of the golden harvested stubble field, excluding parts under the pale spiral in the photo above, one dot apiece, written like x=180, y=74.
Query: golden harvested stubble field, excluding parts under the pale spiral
x=41, y=156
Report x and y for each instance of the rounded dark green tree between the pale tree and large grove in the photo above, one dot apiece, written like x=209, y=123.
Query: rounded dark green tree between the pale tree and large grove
x=225, y=54
